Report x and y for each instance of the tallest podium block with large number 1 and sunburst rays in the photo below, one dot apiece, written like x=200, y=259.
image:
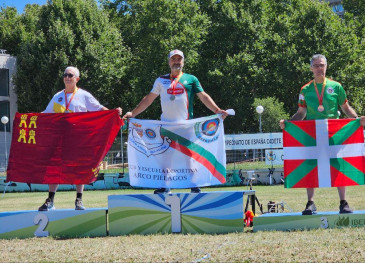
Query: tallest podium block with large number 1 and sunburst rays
x=210, y=212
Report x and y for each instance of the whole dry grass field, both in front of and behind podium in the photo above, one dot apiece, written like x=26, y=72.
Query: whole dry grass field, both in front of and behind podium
x=330, y=245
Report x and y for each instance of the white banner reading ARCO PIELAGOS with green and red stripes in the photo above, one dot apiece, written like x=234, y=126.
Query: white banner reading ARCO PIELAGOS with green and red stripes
x=181, y=154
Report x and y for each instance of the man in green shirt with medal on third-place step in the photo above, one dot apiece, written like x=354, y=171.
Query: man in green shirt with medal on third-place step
x=320, y=99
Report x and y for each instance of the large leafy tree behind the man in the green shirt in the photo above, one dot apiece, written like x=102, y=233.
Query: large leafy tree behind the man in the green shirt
x=256, y=49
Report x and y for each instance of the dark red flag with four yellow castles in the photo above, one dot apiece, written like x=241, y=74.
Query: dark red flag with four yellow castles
x=59, y=148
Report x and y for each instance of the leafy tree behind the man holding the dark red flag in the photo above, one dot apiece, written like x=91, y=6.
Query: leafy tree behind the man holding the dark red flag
x=74, y=33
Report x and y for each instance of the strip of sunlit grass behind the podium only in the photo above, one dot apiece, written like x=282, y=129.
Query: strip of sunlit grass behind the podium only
x=326, y=199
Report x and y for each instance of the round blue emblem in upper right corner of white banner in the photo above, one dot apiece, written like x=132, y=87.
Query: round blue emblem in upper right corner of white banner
x=207, y=131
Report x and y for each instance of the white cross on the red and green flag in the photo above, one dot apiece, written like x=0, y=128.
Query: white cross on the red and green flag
x=323, y=152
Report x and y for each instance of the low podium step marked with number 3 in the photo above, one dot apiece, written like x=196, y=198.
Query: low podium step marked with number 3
x=296, y=221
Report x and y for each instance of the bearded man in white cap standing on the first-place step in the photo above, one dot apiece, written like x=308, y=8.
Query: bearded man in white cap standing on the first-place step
x=176, y=91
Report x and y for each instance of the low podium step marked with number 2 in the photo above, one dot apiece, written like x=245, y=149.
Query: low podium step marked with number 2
x=57, y=223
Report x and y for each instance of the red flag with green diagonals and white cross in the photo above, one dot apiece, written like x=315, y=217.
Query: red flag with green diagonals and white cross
x=323, y=153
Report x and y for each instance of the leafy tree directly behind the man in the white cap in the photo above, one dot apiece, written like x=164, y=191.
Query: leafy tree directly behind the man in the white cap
x=152, y=28
